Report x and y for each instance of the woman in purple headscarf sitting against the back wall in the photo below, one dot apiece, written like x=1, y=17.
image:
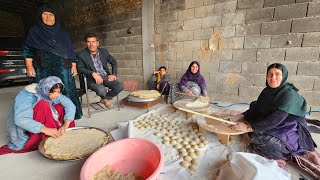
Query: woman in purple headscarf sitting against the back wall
x=192, y=84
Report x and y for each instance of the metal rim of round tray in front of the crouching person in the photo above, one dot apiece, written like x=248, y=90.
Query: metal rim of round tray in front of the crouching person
x=41, y=144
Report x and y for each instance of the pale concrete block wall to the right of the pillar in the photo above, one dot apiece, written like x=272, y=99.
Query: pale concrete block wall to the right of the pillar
x=235, y=41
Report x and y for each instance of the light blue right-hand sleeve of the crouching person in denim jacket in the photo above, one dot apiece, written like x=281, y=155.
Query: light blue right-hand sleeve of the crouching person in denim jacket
x=69, y=107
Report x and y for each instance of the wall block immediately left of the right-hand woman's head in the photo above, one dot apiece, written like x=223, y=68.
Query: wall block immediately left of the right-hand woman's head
x=254, y=68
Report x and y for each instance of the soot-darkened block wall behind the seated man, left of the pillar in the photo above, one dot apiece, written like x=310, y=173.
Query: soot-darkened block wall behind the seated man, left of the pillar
x=110, y=20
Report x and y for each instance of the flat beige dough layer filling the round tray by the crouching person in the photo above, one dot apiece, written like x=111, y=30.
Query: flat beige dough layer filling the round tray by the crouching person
x=75, y=144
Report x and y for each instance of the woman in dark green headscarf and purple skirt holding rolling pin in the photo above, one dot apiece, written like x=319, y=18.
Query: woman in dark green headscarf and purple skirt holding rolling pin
x=276, y=121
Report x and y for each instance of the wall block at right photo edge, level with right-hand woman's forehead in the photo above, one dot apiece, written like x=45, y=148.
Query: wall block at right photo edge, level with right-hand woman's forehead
x=309, y=69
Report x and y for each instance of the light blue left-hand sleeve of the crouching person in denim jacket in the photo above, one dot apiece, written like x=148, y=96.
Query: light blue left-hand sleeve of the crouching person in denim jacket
x=23, y=113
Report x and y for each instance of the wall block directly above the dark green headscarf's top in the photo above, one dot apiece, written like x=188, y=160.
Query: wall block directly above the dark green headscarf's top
x=271, y=54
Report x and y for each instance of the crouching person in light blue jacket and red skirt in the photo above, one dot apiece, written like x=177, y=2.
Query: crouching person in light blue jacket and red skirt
x=40, y=110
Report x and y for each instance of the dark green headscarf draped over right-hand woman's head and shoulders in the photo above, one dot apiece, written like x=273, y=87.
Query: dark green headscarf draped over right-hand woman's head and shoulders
x=285, y=97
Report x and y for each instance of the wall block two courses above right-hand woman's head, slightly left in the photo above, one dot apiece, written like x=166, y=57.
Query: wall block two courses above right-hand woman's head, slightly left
x=252, y=42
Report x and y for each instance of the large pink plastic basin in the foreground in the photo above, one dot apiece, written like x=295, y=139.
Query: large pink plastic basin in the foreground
x=132, y=155
